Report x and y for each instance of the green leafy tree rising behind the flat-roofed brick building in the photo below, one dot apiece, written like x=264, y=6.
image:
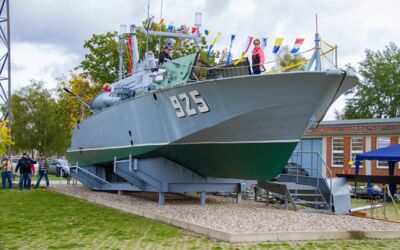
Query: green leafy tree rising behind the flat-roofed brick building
x=377, y=94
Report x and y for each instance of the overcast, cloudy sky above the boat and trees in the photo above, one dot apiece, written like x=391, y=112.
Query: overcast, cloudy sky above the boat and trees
x=47, y=35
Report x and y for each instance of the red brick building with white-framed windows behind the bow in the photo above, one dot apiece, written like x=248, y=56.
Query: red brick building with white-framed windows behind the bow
x=338, y=141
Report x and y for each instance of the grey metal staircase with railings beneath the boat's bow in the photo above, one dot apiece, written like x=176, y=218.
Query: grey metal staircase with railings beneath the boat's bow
x=315, y=193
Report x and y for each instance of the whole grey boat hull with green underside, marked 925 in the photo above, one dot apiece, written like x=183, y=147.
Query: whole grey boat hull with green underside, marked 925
x=248, y=129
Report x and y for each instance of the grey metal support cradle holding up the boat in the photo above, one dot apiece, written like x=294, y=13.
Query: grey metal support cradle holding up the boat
x=158, y=175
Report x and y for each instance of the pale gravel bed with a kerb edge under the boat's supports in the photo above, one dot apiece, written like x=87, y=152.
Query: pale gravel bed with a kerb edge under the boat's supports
x=224, y=214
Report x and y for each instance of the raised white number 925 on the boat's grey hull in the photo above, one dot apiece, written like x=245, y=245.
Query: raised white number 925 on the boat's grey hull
x=189, y=104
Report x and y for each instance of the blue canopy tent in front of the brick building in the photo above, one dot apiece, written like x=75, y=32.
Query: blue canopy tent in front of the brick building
x=390, y=154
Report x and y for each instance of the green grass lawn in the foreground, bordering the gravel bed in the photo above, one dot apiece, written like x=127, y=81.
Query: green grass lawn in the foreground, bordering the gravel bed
x=39, y=219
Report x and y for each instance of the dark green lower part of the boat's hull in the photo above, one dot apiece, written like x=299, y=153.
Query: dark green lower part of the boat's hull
x=255, y=161
